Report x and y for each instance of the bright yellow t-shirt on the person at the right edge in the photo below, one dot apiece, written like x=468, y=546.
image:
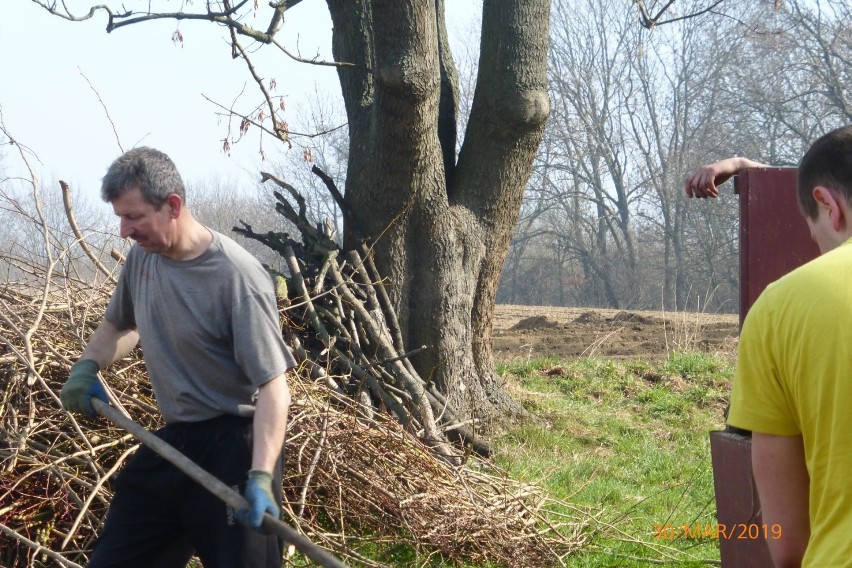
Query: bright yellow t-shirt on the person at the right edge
x=794, y=376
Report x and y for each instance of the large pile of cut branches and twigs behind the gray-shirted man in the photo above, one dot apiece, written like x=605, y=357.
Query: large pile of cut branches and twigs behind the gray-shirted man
x=370, y=469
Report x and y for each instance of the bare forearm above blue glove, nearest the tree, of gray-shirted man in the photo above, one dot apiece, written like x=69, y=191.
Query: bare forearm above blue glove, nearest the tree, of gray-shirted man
x=270, y=423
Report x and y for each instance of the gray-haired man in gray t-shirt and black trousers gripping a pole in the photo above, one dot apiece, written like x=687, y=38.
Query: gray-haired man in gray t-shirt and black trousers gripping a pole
x=205, y=314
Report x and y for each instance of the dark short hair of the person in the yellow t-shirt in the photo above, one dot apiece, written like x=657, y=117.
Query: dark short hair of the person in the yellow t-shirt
x=828, y=163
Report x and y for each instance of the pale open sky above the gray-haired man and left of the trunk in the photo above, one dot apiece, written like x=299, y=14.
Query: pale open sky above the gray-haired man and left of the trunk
x=57, y=77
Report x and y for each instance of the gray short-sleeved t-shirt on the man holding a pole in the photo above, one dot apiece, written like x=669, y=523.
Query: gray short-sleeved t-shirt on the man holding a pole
x=208, y=328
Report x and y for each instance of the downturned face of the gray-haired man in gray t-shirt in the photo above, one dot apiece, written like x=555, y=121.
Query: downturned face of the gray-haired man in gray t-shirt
x=153, y=230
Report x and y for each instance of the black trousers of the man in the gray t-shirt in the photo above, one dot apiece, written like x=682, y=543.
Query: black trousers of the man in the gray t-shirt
x=159, y=517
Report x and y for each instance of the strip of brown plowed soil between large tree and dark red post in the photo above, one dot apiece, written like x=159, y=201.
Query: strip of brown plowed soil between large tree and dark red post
x=539, y=331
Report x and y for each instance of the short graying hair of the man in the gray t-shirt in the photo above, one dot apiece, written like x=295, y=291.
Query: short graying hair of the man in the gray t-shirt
x=152, y=171
